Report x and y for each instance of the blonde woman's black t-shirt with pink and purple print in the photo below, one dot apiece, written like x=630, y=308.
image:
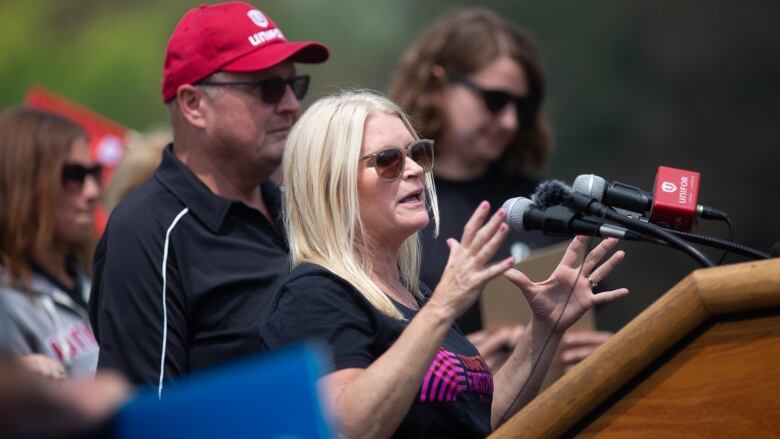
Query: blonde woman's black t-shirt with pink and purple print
x=314, y=304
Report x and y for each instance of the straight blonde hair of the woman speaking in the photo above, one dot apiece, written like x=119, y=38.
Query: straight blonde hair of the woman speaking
x=321, y=208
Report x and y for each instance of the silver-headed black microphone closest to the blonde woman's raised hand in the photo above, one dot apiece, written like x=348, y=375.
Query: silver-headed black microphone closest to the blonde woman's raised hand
x=559, y=221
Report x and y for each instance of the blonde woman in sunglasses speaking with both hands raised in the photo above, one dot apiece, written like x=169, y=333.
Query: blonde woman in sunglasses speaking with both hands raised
x=358, y=194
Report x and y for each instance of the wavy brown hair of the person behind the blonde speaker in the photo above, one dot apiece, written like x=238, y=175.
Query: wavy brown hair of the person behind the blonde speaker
x=463, y=42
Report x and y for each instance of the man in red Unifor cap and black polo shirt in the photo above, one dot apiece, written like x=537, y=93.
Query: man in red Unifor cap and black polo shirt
x=190, y=260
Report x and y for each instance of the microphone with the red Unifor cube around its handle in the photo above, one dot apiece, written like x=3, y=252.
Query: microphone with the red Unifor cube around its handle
x=673, y=203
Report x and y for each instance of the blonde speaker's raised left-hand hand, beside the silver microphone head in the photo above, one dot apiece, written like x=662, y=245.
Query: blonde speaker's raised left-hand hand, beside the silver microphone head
x=467, y=269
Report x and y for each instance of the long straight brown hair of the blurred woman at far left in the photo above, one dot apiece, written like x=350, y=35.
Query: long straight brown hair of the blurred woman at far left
x=33, y=147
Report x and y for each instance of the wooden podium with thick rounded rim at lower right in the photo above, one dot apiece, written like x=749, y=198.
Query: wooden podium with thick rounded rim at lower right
x=702, y=361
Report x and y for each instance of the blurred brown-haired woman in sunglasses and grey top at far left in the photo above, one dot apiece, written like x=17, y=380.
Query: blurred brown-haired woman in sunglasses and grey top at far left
x=48, y=189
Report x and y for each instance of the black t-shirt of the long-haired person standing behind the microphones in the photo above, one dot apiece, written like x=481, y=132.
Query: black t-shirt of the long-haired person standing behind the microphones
x=457, y=202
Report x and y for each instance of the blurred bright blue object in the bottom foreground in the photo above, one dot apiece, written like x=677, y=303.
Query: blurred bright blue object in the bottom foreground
x=272, y=396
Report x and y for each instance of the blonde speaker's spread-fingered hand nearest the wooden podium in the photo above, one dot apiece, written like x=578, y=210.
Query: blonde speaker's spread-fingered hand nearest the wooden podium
x=563, y=298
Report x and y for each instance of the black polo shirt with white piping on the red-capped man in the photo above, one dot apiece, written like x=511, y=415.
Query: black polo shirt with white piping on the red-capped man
x=184, y=274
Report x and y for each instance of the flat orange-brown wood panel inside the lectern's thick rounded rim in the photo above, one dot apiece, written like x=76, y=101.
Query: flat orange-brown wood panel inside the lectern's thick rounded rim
x=725, y=383
